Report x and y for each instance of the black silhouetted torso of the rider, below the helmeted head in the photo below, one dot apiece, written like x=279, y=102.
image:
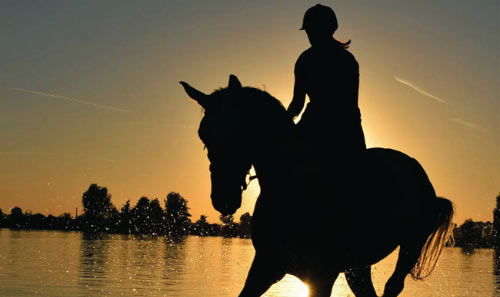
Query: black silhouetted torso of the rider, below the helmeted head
x=331, y=79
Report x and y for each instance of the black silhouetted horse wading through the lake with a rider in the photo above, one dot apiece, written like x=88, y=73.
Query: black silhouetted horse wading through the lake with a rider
x=315, y=224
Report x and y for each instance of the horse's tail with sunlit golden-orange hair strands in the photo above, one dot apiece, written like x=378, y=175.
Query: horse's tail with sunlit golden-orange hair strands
x=442, y=233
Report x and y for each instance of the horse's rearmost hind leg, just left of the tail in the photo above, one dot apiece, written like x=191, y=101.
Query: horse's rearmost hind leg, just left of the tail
x=407, y=258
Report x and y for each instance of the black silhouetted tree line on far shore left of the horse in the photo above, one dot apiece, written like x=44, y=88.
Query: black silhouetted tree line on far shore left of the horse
x=145, y=217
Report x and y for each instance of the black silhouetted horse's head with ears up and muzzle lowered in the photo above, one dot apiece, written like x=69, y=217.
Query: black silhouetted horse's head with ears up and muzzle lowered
x=222, y=130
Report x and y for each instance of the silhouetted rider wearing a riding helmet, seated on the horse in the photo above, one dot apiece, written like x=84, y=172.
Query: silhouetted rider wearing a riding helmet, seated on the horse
x=329, y=75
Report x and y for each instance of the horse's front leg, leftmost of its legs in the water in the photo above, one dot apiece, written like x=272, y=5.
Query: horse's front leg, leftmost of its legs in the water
x=263, y=273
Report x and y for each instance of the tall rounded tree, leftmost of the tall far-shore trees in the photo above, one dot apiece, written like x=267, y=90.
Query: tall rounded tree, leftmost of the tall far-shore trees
x=97, y=207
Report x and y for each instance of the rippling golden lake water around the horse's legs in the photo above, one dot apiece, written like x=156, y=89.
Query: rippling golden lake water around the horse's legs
x=56, y=263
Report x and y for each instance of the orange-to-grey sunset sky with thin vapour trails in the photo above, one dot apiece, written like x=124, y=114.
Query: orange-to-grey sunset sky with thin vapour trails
x=89, y=92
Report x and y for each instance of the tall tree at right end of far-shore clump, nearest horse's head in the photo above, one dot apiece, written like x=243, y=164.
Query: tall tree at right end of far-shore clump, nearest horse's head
x=177, y=215
